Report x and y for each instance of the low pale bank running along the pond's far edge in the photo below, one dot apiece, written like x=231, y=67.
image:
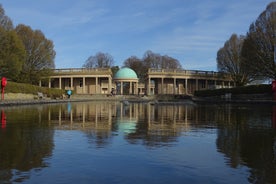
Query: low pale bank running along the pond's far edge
x=26, y=100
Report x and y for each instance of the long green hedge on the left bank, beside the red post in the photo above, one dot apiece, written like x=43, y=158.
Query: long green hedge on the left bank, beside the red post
x=13, y=87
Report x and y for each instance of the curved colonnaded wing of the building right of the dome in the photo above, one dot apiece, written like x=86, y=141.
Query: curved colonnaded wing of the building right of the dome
x=175, y=81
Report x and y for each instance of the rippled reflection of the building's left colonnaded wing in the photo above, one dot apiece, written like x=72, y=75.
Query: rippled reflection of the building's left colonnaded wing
x=82, y=116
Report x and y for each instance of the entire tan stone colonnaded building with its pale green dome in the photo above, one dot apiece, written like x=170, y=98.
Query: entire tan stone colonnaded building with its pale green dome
x=126, y=82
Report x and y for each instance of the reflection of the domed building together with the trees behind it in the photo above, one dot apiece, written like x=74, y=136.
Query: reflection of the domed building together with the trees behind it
x=154, y=124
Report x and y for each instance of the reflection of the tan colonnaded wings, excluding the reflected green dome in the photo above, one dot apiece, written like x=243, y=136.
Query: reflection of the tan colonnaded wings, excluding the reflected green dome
x=107, y=116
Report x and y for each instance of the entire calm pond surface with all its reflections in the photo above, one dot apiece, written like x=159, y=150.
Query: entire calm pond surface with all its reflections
x=109, y=142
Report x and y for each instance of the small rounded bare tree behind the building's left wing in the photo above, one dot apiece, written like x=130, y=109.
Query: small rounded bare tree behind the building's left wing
x=100, y=60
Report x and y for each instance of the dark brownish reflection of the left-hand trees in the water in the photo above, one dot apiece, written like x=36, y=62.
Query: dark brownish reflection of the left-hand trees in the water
x=25, y=143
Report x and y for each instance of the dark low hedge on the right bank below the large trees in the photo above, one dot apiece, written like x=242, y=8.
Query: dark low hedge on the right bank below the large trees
x=252, y=89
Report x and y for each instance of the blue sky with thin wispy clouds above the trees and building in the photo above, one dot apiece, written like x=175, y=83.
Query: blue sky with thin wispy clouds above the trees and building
x=191, y=31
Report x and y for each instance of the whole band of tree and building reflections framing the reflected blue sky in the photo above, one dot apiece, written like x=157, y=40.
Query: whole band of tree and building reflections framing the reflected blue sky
x=244, y=134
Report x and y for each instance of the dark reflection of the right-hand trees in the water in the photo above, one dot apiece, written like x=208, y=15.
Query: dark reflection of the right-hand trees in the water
x=249, y=140
